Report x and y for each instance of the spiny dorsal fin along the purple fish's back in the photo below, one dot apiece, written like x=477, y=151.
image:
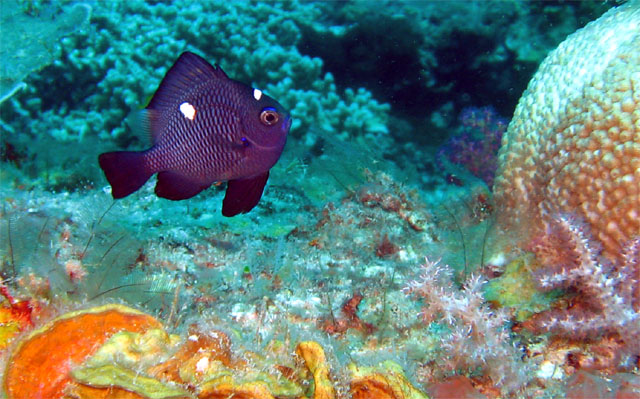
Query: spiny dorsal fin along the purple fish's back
x=186, y=74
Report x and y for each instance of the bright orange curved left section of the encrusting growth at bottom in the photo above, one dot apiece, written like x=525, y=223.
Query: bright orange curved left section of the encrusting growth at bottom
x=41, y=363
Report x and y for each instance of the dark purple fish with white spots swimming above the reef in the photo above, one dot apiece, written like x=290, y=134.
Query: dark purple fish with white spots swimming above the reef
x=205, y=128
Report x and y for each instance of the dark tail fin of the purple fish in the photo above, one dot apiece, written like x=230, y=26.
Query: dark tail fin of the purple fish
x=125, y=171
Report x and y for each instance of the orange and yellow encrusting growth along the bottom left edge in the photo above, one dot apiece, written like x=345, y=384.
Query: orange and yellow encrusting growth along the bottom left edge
x=113, y=351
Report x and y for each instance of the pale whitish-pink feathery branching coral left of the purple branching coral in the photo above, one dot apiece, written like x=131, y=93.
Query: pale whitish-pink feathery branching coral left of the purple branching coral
x=478, y=337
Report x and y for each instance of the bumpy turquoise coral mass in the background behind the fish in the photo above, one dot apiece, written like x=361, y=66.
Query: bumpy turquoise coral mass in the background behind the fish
x=253, y=42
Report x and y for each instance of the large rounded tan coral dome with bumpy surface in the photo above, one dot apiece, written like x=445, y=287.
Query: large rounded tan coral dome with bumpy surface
x=573, y=144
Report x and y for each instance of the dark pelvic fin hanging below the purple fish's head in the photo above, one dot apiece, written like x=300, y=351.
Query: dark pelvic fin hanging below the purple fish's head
x=243, y=194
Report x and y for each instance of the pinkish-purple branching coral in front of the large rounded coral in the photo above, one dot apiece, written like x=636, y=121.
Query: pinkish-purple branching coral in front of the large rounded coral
x=608, y=294
